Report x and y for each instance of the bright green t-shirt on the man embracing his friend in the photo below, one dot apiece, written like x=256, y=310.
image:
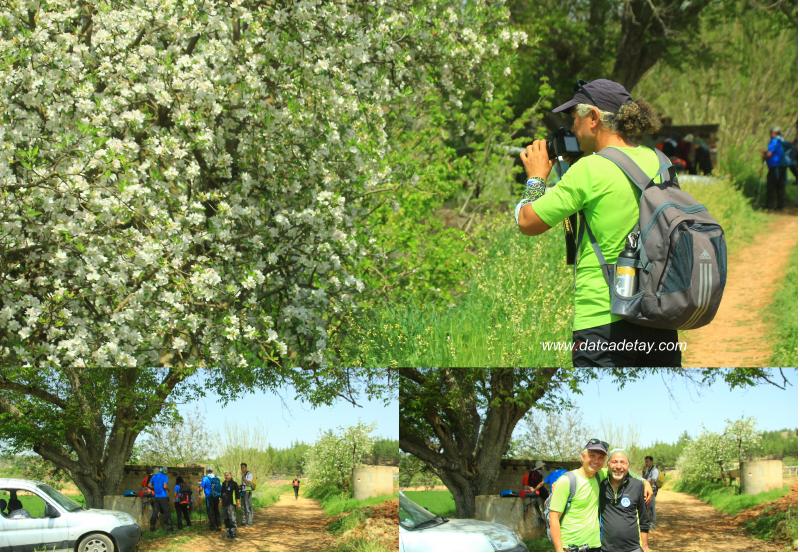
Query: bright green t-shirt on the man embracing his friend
x=581, y=524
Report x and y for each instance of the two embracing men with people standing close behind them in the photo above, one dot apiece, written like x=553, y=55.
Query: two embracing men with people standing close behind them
x=597, y=507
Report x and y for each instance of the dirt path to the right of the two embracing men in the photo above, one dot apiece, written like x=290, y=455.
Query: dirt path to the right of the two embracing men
x=687, y=524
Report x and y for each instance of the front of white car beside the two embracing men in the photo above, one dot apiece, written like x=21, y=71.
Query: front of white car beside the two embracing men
x=421, y=530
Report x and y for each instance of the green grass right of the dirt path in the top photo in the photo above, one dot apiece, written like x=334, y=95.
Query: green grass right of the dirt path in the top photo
x=783, y=315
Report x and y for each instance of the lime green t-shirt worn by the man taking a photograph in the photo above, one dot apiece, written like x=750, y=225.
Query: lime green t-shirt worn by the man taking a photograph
x=610, y=203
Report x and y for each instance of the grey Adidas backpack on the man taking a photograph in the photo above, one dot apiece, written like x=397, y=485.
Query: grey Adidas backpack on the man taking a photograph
x=681, y=256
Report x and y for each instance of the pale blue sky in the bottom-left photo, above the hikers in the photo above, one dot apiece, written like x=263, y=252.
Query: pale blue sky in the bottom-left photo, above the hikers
x=283, y=420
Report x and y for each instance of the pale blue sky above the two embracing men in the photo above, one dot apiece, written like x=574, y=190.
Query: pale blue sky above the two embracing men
x=648, y=408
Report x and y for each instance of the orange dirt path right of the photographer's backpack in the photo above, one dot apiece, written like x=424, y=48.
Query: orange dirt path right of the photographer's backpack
x=738, y=336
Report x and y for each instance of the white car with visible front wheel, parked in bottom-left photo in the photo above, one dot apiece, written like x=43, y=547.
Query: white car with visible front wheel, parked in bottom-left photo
x=34, y=516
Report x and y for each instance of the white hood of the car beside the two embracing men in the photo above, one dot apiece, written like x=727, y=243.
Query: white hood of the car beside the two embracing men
x=470, y=534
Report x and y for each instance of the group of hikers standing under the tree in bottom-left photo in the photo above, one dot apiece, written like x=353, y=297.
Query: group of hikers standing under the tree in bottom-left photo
x=227, y=492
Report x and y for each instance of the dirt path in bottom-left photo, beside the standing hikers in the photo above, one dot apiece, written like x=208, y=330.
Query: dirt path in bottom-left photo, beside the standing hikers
x=288, y=525
